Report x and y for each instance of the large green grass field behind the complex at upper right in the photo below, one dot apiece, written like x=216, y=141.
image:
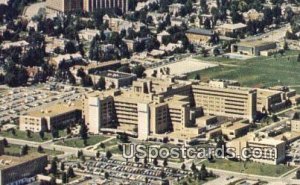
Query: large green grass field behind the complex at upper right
x=256, y=72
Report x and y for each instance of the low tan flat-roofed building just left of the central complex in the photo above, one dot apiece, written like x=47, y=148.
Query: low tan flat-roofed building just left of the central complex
x=59, y=116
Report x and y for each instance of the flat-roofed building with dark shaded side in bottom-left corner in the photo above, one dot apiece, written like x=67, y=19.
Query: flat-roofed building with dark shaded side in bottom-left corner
x=14, y=170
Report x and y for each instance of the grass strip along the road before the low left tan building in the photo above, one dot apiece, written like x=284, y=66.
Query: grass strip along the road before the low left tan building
x=34, y=136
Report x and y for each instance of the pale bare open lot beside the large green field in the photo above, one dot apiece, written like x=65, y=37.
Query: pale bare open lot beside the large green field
x=188, y=65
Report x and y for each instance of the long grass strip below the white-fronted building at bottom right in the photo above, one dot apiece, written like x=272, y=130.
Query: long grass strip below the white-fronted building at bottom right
x=249, y=167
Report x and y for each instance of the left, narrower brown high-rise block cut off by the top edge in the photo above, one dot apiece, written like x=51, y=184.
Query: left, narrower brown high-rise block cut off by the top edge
x=63, y=6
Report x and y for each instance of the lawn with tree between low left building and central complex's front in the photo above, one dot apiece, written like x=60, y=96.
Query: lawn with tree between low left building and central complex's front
x=92, y=140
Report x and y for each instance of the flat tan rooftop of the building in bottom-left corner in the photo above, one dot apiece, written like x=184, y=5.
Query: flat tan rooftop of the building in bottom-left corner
x=7, y=161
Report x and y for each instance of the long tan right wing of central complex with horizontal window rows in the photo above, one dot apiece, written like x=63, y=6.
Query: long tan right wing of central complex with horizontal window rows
x=217, y=97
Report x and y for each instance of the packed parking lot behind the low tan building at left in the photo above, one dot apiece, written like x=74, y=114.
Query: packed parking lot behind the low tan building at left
x=18, y=101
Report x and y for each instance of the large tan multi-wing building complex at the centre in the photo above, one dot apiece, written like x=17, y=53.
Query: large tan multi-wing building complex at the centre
x=175, y=108
